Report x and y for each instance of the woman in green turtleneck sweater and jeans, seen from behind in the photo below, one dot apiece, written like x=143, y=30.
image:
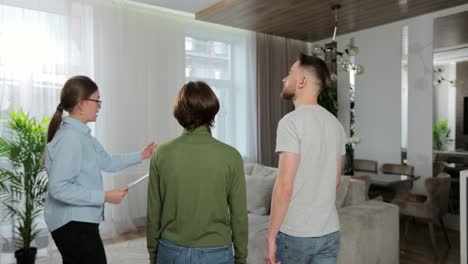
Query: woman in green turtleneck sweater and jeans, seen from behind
x=197, y=210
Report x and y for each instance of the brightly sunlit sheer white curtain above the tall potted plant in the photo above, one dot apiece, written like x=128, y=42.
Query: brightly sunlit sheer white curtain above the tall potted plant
x=42, y=43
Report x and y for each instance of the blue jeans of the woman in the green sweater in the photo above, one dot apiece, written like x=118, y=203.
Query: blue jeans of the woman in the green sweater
x=170, y=253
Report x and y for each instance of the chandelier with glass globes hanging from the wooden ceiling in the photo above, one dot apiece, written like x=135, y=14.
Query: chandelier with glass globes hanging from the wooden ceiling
x=344, y=59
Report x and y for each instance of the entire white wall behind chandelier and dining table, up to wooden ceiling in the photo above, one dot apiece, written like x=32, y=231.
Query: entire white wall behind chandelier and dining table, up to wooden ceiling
x=378, y=92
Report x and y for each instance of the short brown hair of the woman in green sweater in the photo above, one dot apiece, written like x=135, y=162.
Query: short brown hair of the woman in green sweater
x=196, y=105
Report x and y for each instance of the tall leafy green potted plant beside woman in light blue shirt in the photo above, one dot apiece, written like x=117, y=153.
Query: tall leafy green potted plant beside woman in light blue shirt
x=23, y=184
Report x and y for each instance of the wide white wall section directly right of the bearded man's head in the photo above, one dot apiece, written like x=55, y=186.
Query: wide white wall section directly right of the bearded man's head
x=377, y=94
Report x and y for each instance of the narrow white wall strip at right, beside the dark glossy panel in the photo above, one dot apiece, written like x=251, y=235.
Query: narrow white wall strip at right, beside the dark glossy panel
x=420, y=80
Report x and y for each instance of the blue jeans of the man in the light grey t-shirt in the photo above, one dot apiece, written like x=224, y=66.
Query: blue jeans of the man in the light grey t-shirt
x=308, y=250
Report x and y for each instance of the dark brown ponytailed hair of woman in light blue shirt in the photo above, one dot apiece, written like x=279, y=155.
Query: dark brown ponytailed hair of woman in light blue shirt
x=75, y=90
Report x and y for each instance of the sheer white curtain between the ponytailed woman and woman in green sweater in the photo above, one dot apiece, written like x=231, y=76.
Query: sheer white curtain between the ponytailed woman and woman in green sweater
x=139, y=67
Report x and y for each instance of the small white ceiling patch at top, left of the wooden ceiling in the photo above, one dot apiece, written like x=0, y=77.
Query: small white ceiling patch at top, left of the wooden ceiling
x=189, y=6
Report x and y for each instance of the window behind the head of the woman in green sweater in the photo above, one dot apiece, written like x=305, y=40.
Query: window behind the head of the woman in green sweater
x=225, y=59
